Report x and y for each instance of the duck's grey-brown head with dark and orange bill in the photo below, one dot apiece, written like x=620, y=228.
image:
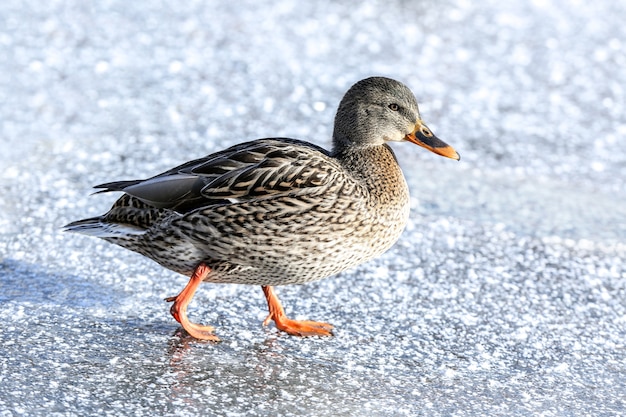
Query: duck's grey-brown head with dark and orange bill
x=378, y=110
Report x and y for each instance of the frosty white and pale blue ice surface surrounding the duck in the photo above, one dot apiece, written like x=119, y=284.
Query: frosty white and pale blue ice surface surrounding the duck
x=505, y=296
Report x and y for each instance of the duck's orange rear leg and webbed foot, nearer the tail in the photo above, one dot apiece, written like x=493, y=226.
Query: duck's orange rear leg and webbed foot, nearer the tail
x=182, y=300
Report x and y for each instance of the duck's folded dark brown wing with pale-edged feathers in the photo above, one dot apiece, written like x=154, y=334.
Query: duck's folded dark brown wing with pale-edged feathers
x=253, y=170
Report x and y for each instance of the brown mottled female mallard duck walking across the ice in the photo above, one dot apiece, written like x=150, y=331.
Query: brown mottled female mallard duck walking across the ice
x=277, y=211
